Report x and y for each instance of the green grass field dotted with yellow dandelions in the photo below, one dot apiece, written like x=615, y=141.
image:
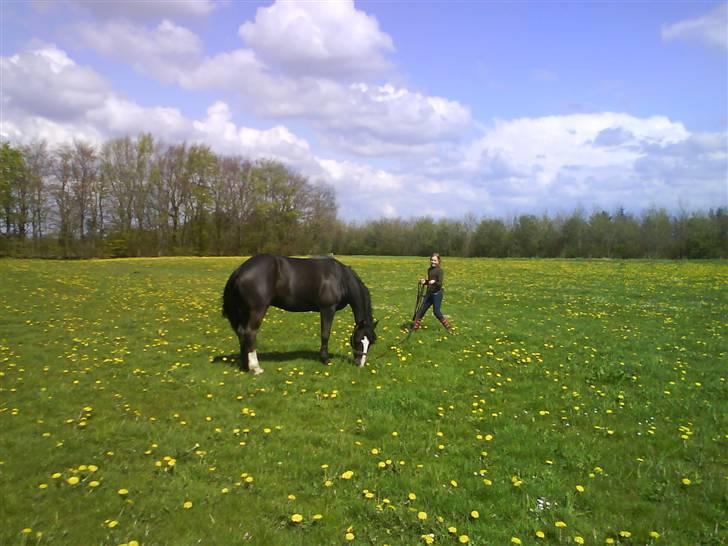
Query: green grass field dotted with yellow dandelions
x=578, y=402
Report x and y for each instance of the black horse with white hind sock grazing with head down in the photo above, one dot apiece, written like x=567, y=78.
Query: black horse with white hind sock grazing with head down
x=296, y=284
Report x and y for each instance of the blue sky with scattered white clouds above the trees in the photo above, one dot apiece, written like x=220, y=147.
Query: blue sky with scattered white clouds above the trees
x=406, y=109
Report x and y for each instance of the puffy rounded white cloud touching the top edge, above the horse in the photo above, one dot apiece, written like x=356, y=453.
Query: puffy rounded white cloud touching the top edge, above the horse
x=331, y=39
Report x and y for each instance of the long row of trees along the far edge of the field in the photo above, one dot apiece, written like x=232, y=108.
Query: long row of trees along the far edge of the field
x=140, y=197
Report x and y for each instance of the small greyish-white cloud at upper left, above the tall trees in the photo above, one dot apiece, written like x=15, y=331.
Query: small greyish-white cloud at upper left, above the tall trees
x=165, y=52
